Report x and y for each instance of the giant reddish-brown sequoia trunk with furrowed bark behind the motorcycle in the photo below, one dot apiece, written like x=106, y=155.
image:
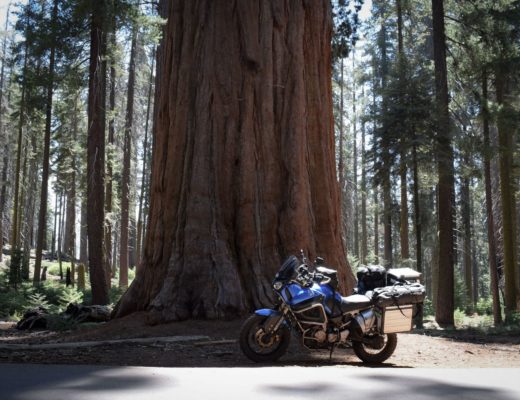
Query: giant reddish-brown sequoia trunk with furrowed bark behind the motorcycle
x=243, y=167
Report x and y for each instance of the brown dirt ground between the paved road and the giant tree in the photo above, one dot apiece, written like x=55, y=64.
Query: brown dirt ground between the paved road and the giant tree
x=424, y=348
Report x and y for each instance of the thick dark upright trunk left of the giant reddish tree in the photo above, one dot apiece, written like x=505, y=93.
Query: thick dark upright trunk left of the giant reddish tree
x=96, y=155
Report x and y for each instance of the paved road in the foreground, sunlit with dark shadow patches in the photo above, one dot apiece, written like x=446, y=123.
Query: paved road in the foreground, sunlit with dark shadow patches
x=65, y=382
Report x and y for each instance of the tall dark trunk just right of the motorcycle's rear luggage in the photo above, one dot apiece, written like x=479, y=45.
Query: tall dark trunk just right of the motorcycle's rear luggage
x=445, y=295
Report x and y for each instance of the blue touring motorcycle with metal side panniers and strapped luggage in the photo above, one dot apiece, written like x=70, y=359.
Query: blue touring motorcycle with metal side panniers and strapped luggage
x=309, y=305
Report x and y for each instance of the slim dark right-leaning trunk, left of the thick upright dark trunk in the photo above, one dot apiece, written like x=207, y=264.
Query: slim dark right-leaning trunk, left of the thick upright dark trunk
x=42, y=219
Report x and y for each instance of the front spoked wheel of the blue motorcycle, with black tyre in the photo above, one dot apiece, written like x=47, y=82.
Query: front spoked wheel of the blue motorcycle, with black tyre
x=258, y=345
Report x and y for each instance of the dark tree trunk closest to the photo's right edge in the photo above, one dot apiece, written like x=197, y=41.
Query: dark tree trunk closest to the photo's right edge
x=506, y=129
